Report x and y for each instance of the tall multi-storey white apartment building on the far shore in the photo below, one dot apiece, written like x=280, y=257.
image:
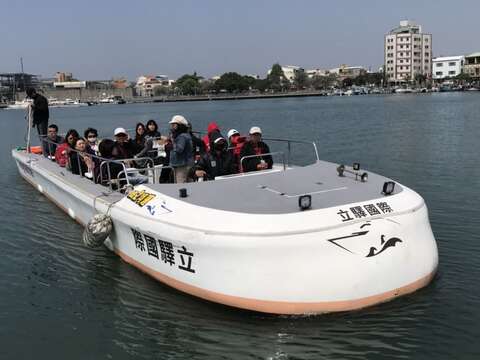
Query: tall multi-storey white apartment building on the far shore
x=408, y=52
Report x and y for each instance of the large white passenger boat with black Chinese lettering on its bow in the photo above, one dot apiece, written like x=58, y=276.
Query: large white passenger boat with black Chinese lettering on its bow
x=301, y=240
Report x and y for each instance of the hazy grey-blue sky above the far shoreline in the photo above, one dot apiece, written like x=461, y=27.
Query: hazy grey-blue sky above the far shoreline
x=104, y=39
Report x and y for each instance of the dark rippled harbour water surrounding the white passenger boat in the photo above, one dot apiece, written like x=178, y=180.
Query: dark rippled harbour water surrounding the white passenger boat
x=60, y=300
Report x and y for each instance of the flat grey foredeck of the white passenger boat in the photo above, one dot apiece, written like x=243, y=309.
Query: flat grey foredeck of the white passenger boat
x=278, y=192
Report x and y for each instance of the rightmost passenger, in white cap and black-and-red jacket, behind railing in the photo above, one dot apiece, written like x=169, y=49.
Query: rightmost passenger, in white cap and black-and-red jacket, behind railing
x=255, y=146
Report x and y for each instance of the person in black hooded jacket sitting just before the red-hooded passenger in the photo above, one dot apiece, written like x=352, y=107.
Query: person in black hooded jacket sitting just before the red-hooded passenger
x=218, y=162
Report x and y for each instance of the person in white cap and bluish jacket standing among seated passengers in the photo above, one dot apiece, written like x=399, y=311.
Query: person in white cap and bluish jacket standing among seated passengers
x=181, y=153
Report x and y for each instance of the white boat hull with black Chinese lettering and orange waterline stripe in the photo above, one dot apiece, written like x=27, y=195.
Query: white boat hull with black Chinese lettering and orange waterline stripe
x=331, y=266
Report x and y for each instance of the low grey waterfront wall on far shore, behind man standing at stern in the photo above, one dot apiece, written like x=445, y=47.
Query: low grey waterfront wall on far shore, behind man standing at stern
x=83, y=94
